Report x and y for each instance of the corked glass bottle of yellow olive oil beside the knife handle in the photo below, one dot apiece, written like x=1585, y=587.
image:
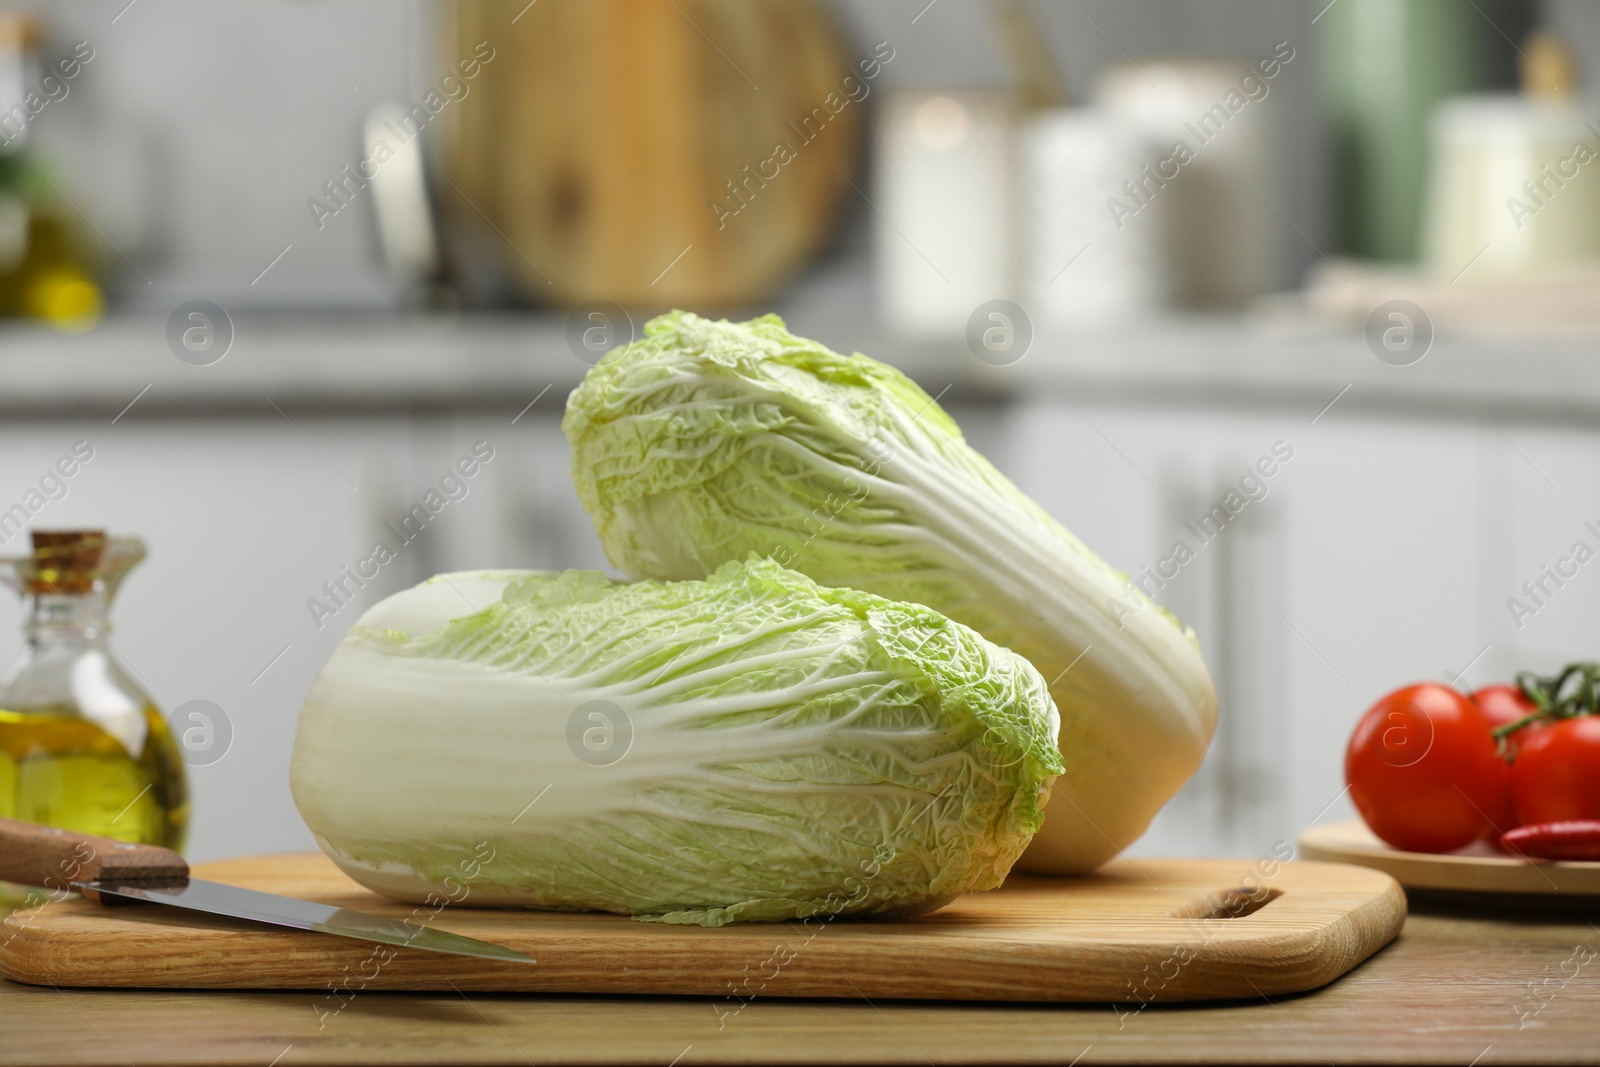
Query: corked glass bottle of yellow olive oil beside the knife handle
x=82, y=746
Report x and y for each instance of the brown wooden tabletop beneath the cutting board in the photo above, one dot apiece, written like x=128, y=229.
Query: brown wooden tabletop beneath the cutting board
x=1447, y=993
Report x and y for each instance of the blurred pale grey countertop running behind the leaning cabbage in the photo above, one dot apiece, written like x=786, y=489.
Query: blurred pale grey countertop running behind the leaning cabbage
x=492, y=362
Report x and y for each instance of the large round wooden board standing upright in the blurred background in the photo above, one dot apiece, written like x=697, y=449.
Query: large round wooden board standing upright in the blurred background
x=655, y=153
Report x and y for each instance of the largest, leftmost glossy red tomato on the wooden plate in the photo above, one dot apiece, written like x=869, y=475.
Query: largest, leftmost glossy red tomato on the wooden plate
x=1425, y=773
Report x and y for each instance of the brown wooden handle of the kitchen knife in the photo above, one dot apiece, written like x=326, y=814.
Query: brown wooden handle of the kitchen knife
x=44, y=857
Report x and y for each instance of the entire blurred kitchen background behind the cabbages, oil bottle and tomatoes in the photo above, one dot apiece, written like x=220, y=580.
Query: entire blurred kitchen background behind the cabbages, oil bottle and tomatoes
x=276, y=265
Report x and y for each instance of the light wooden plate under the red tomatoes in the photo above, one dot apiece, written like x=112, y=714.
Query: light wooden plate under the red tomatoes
x=1478, y=869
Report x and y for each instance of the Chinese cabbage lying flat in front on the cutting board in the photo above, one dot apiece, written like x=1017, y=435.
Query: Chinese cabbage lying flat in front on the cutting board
x=746, y=748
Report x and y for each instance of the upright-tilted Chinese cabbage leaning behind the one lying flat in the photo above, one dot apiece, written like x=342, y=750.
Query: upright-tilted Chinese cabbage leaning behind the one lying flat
x=708, y=441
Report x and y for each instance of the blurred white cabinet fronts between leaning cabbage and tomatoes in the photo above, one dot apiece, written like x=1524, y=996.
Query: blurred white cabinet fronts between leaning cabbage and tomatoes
x=1383, y=553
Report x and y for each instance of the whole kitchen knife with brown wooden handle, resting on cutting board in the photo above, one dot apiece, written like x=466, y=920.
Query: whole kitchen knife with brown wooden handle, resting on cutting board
x=106, y=871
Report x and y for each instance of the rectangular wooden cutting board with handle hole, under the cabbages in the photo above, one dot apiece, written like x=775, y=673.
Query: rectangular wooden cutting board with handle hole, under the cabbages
x=1135, y=932
